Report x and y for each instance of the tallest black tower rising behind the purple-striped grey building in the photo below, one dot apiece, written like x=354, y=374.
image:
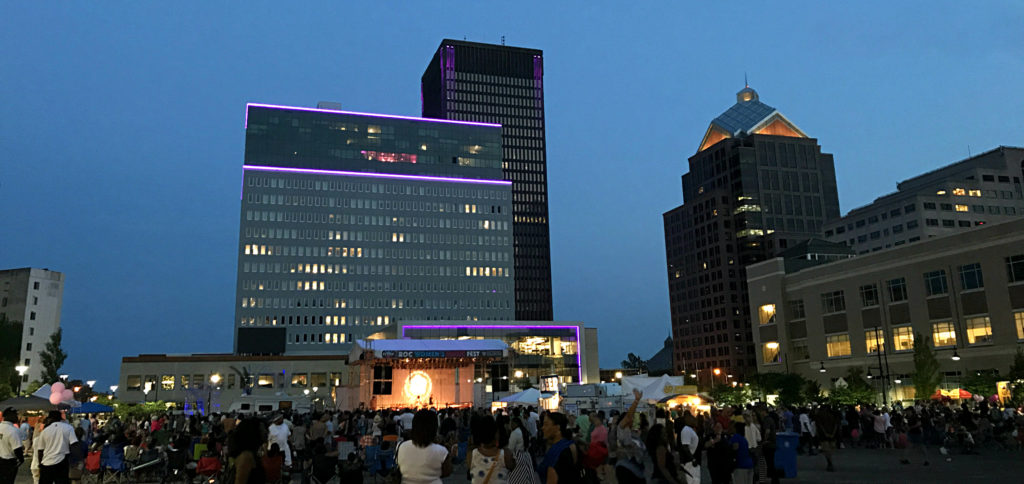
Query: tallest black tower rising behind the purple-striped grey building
x=489, y=83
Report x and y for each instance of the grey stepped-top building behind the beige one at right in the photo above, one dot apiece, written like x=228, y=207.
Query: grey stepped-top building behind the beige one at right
x=983, y=190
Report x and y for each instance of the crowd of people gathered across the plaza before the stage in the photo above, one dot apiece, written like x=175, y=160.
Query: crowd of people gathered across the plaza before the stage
x=521, y=446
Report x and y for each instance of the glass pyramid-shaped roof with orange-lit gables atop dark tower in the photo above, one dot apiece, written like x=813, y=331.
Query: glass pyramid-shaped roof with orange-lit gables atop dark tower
x=749, y=115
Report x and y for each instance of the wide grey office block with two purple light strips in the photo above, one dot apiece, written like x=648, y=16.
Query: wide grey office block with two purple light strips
x=352, y=223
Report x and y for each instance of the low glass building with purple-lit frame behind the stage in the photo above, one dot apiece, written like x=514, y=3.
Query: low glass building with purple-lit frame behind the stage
x=567, y=349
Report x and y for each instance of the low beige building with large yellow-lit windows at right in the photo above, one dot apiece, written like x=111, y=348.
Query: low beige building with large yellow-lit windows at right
x=964, y=293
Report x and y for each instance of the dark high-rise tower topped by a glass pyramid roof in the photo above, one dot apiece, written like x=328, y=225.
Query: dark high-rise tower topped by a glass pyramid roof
x=757, y=186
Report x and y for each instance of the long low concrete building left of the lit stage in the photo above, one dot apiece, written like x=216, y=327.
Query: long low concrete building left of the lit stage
x=204, y=383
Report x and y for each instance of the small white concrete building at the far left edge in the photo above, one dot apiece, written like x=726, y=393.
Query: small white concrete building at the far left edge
x=32, y=297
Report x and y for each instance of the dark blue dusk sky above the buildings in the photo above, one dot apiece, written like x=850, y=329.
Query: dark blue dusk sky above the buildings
x=121, y=131
